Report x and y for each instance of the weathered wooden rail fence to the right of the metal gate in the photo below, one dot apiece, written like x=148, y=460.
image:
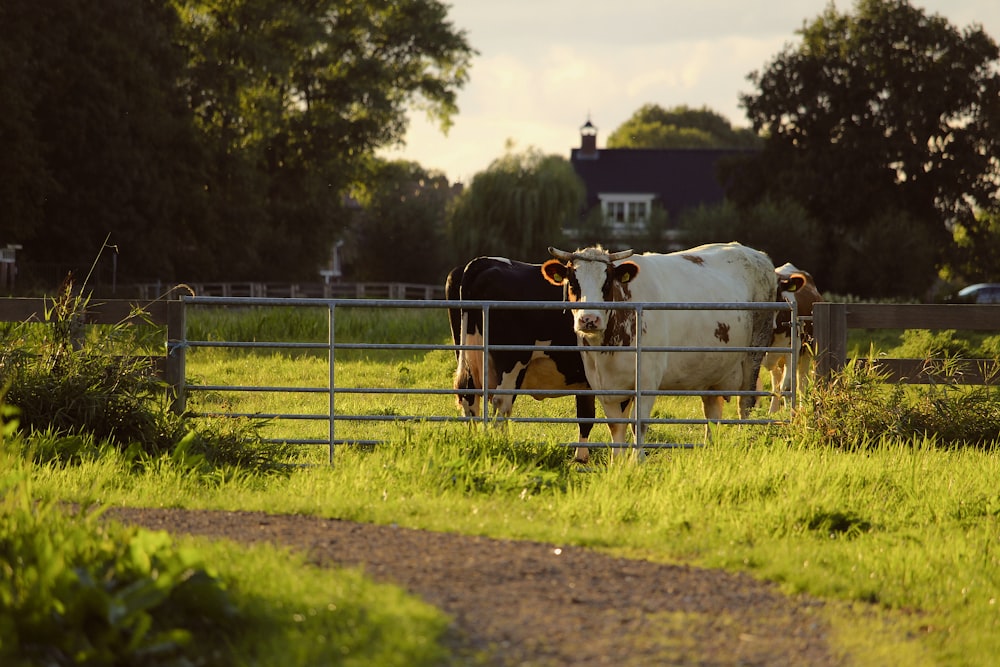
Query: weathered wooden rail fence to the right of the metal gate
x=831, y=322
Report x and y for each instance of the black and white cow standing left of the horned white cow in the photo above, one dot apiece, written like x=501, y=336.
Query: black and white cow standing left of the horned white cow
x=497, y=279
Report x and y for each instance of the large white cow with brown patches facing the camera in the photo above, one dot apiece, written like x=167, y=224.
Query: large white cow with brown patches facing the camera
x=715, y=273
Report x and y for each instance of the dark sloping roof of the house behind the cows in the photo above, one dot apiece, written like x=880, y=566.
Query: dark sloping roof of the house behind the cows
x=680, y=177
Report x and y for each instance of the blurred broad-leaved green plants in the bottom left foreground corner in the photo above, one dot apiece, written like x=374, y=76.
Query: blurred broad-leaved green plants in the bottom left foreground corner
x=76, y=590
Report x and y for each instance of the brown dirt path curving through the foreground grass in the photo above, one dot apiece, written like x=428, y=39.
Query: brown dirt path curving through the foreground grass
x=538, y=604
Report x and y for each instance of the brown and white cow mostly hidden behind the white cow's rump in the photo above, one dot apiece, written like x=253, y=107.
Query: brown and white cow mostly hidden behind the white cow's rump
x=792, y=280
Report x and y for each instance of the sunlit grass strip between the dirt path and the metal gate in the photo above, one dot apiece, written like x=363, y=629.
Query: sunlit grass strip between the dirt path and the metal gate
x=910, y=530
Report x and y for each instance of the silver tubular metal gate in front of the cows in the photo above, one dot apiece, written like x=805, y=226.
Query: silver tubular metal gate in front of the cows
x=332, y=390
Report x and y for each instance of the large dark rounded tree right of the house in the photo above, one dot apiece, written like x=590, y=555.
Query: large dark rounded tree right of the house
x=886, y=111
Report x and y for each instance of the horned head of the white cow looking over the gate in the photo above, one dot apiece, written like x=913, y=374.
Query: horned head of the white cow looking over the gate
x=591, y=276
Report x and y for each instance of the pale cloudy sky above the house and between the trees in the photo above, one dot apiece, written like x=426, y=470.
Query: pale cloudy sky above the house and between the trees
x=545, y=66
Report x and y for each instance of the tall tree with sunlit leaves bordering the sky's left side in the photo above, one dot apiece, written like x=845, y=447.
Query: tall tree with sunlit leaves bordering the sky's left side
x=293, y=100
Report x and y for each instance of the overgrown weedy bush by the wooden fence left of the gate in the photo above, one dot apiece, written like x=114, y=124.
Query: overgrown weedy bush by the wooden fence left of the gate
x=82, y=393
